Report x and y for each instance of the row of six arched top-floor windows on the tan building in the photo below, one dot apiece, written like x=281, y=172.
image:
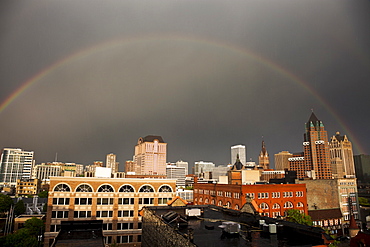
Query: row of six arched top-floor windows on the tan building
x=108, y=188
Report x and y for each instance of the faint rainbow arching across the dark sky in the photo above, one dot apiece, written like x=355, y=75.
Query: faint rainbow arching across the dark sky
x=191, y=39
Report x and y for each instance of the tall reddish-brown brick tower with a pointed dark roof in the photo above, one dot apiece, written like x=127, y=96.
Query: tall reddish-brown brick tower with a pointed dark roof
x=316, y=156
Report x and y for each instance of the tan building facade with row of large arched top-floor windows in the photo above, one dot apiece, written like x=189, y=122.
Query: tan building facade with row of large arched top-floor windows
x=116, y=201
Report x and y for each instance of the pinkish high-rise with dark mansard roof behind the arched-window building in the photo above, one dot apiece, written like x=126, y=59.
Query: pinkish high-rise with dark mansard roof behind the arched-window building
x=150, y=155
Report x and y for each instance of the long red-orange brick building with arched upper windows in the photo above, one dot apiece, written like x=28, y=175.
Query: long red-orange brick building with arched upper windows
x=273, y=199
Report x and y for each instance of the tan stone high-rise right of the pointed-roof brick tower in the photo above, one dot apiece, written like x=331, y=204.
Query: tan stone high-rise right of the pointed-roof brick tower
x=341, y=157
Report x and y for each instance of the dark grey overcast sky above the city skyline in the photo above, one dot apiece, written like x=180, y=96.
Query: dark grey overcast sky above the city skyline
x=204, y=75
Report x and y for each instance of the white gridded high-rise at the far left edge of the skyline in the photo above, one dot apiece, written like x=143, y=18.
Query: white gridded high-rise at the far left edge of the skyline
x=15, y=164
